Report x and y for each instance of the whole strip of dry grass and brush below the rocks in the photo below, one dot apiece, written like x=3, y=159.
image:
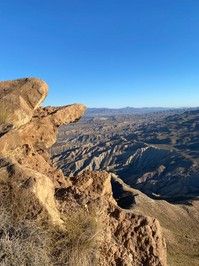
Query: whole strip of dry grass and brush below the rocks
x=28, y=242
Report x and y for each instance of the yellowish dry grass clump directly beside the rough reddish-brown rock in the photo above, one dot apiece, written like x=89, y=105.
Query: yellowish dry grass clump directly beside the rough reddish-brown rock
x=78, y=244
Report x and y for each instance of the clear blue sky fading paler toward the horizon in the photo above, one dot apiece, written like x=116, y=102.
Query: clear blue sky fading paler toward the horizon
x=105, y=53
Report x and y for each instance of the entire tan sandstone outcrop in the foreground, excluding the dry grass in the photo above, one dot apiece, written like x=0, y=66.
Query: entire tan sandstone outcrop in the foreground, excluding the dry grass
x=31, y=188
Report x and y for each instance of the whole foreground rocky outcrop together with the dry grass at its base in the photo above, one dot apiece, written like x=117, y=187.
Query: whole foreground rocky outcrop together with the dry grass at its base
x=49, y=219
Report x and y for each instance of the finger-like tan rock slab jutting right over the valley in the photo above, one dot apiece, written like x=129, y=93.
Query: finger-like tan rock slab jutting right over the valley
x=42, y=130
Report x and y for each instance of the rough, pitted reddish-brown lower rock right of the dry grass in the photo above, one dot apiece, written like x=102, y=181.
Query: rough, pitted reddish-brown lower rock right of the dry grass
x=129, y=238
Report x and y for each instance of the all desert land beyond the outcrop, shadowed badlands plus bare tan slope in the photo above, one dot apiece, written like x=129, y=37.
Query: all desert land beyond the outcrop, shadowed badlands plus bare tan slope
x=155, y=155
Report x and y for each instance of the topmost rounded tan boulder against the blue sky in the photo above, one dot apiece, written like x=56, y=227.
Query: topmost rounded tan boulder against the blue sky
x=19, y=99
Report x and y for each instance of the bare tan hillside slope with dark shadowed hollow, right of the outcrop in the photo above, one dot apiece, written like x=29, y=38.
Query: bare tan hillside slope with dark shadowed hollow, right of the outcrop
x=179, y=222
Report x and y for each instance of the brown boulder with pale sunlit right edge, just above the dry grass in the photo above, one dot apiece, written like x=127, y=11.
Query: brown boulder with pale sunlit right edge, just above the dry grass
x=27, y=192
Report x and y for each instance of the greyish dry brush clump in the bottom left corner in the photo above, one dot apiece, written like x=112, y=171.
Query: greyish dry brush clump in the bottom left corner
x=23, y=244
